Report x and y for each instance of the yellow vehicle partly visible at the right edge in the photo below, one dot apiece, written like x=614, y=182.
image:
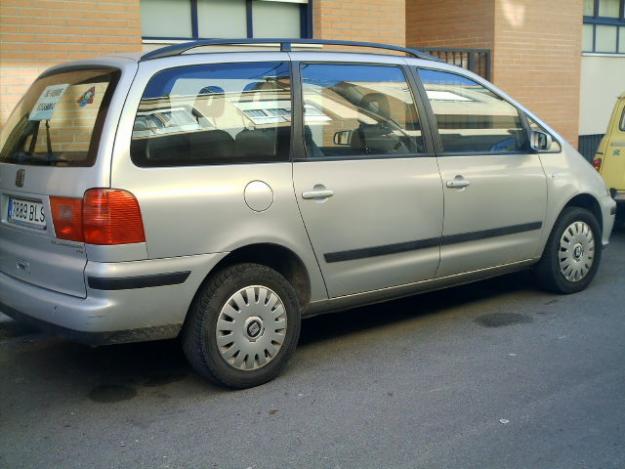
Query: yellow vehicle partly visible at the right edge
x=613, y=167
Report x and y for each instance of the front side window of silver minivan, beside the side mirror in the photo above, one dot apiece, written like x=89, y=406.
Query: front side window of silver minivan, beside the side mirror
x=472, y=118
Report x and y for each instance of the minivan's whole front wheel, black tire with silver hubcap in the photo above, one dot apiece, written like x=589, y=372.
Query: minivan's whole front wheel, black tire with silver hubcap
x=551, y=271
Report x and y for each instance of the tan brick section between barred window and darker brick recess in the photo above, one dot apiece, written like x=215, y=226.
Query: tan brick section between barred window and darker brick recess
x=361, y=20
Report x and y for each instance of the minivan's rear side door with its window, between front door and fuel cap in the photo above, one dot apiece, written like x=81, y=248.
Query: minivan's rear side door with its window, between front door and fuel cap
x=369, y=192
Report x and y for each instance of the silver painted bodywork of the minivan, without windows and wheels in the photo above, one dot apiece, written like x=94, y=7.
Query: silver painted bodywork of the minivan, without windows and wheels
x=194, y=217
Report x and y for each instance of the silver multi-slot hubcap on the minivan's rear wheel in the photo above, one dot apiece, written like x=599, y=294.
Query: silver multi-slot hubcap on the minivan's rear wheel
x=251, y=328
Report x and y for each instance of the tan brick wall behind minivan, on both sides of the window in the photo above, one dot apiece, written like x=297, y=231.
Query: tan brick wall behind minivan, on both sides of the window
x=536, y=44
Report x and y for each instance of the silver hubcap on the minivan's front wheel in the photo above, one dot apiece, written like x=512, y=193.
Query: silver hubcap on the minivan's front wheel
x=577, y=251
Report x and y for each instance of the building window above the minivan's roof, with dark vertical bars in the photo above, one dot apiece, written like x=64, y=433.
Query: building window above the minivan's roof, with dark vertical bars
x=204, y=19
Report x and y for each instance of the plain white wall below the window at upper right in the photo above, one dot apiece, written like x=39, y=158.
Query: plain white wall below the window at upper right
x=603, y=81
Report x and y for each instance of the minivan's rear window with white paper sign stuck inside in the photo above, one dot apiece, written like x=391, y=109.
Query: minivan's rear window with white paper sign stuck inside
x=59, y=120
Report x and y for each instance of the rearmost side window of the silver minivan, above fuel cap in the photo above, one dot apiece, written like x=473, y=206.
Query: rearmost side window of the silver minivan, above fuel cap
x=214, y=114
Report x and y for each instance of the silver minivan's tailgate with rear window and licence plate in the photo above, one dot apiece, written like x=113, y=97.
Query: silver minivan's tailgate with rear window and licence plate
x=48, y=148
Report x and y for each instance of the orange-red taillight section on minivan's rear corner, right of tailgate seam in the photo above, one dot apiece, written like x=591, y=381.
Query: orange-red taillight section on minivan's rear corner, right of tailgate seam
x=111, y=216
